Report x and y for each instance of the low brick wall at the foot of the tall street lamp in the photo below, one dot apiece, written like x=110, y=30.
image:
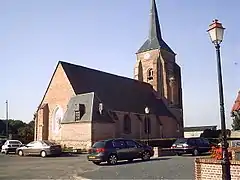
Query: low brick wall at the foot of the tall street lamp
x=208, y=168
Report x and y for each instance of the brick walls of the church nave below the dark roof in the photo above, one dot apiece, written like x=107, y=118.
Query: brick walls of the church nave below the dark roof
x=81, y=135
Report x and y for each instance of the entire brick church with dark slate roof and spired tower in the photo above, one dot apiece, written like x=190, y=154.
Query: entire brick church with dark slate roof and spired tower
x=82, y=105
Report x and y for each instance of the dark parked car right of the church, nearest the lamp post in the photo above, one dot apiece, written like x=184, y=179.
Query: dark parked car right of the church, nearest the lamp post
x=194, y=146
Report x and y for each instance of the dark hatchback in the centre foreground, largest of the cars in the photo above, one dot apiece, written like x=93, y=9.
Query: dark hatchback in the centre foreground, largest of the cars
x=113, y=150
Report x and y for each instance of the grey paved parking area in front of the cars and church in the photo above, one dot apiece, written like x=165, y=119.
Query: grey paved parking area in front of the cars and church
x=77, y=167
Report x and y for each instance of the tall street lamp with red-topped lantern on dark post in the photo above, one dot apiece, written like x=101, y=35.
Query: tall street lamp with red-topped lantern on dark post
x=216, y=32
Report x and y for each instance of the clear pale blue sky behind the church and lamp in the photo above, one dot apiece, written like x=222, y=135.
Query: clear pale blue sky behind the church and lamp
x=105, y=34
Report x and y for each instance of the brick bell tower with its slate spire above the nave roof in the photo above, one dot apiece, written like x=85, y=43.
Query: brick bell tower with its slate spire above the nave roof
x=156, y=64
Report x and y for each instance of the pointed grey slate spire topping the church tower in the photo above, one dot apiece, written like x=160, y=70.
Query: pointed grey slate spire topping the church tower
x=154, y=40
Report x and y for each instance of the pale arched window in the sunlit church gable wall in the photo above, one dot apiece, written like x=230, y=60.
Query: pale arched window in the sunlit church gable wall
x=57, y=119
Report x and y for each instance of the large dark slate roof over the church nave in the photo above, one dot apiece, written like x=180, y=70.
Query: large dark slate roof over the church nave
x=116, y=92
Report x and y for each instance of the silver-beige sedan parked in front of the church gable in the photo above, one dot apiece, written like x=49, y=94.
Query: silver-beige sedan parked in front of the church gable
x=43, y=148
